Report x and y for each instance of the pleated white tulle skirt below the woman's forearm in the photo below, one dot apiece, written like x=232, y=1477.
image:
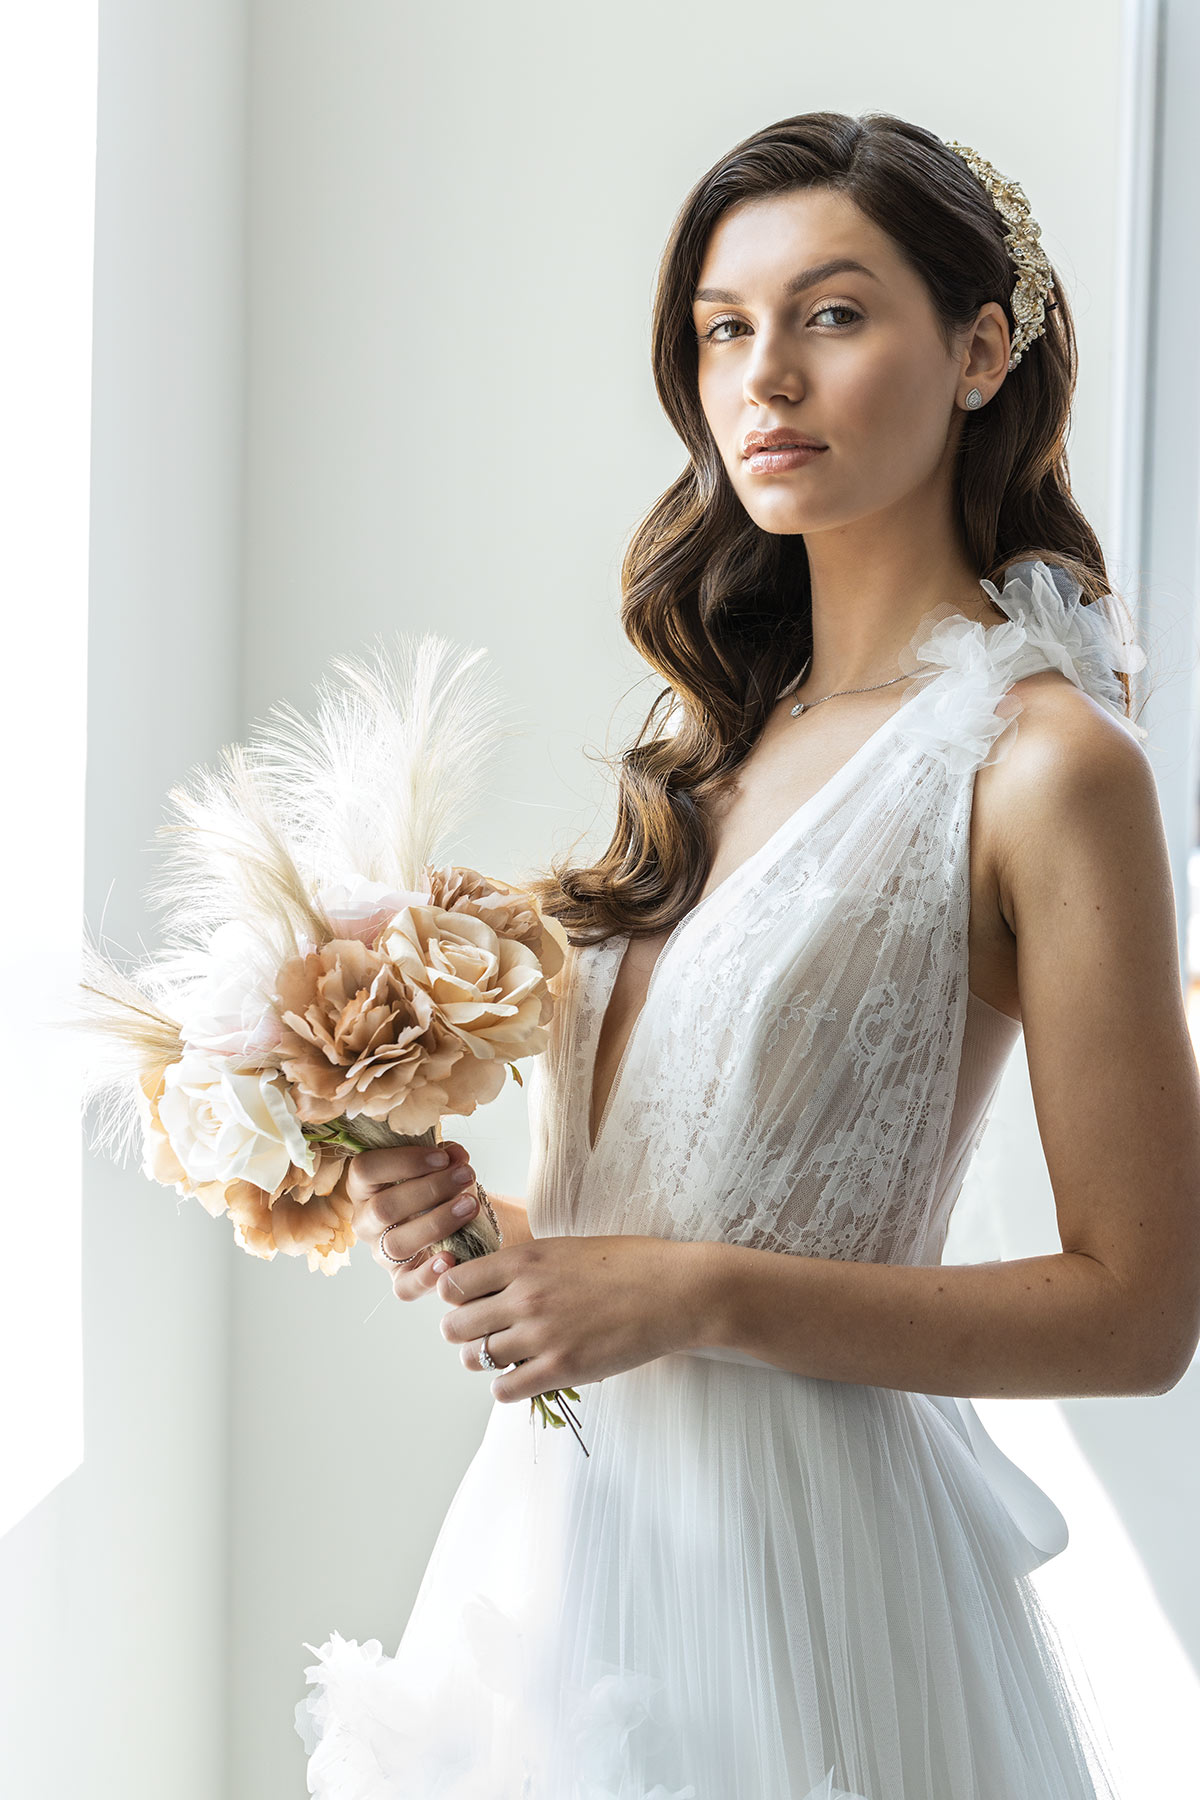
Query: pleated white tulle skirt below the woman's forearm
x=758, y=1587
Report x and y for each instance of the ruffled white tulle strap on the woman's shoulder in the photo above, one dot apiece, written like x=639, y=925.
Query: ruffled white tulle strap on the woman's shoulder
x=967, y=667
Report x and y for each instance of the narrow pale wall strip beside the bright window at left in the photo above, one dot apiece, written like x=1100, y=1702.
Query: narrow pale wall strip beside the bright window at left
x=114, y=1592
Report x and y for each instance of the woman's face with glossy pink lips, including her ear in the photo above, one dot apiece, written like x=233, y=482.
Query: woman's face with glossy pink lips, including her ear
x=848, y=357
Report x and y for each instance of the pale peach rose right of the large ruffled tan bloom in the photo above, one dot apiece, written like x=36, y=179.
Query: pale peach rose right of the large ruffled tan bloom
x=488, y=993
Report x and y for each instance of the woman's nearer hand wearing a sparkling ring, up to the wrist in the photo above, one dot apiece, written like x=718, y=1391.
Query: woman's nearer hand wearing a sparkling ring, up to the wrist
x=575, y=1309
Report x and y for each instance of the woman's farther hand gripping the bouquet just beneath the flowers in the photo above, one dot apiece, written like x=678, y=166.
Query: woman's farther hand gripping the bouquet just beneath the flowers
x=402, y=1189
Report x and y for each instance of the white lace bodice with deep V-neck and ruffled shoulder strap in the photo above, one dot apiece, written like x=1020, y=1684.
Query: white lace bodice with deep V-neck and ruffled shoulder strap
x=809, y=1072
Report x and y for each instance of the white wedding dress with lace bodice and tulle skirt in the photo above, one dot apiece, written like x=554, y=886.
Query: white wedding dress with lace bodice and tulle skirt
x=764, y=1587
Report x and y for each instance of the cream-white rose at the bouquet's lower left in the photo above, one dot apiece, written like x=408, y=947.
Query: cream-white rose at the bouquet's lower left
x=231, y=1126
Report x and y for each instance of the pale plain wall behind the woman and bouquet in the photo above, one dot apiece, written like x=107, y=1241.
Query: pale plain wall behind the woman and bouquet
x=372, y=352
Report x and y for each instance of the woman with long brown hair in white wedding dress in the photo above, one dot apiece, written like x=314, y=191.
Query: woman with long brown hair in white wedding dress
x=793, y=1563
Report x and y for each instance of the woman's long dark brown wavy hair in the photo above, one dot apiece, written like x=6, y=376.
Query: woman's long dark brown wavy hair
x=722, y=609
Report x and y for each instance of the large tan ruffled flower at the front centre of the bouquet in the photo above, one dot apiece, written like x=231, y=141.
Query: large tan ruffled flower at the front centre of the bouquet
x=361, y=1038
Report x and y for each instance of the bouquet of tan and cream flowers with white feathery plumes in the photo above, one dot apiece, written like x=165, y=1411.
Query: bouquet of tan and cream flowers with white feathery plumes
x=327, y=985
